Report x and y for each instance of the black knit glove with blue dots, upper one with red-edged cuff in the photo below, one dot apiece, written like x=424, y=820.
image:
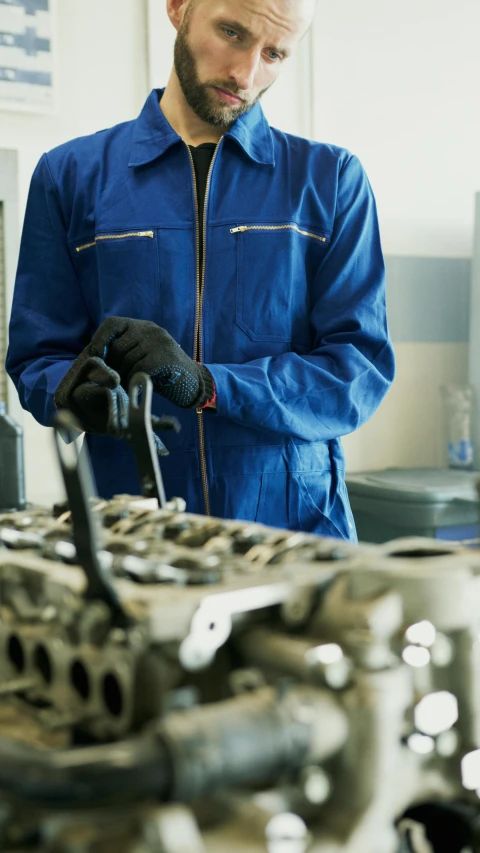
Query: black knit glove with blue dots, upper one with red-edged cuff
x=129, y=346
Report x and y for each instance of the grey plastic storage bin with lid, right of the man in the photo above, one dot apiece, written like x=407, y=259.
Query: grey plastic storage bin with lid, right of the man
x=439, y=503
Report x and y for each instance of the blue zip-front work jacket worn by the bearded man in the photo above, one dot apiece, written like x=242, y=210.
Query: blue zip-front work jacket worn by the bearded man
x=288, y=315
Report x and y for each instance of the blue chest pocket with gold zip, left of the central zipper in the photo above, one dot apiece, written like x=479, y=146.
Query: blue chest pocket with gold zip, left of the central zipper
x=118, y=272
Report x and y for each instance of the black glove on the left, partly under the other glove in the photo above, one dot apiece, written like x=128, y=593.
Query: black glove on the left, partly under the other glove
x=92, y=392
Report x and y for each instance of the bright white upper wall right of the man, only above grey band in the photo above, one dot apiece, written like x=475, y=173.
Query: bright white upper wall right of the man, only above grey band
x=398, y=83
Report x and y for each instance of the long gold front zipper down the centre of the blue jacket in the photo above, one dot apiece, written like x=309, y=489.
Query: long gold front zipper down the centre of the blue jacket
x=197, y=343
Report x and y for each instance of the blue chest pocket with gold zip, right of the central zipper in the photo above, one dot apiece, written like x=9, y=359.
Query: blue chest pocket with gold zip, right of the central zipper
x=276, y=266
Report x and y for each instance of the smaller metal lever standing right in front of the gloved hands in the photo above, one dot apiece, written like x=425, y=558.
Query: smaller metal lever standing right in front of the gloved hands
x=140, y=436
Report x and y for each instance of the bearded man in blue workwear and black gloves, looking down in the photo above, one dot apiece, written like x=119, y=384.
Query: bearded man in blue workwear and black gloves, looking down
x=239, y=266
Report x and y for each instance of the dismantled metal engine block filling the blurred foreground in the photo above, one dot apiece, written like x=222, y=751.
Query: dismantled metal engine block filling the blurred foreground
x=172, y=683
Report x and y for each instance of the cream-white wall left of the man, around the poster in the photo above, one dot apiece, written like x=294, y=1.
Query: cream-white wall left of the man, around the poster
x=102, y=74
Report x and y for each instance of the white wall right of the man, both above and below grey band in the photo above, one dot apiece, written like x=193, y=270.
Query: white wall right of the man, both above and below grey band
x=398, y=84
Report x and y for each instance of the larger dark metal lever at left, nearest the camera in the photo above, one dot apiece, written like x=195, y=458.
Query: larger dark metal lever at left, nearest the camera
x=79, y=485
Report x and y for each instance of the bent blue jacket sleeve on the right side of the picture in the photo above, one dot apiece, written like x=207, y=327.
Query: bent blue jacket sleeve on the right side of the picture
x=337, y=386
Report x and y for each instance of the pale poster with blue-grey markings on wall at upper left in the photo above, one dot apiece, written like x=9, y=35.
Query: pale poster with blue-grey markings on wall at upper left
x=27, y=79
